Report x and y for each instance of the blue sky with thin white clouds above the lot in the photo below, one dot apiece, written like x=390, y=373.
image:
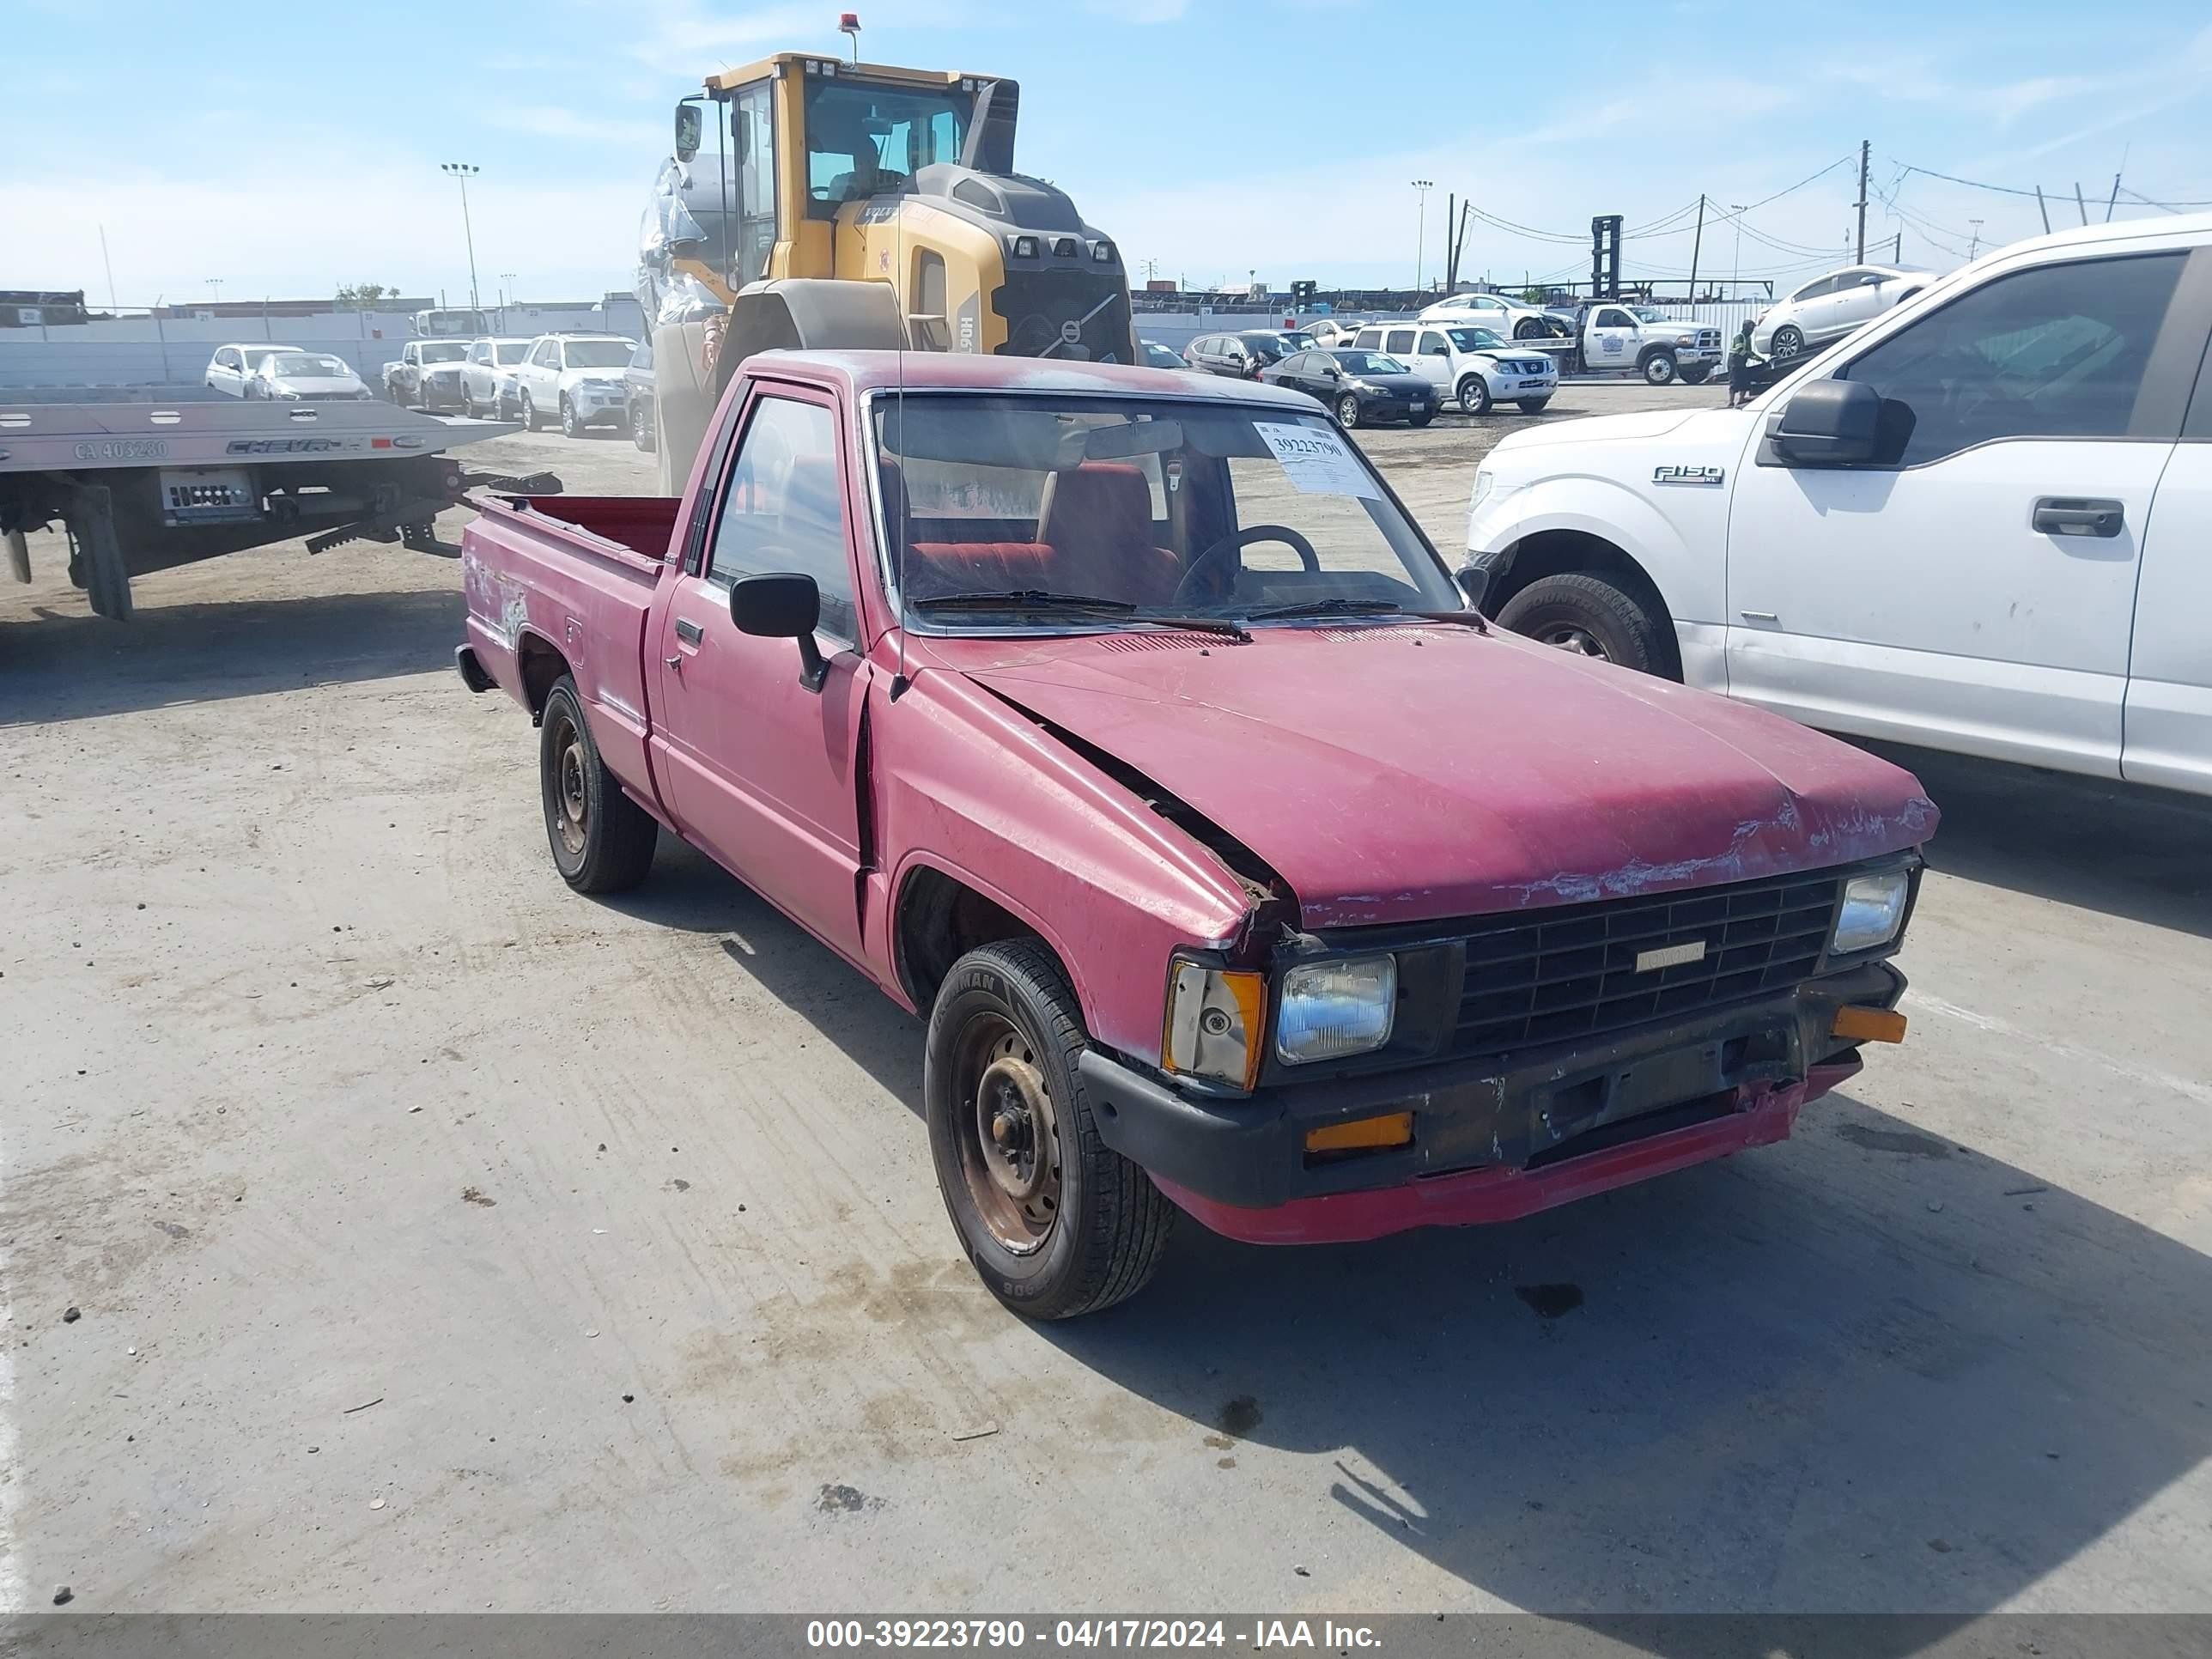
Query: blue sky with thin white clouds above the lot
x=291, y=147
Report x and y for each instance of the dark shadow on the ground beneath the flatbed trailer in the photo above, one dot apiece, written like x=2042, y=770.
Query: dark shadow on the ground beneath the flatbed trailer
x=81, y=667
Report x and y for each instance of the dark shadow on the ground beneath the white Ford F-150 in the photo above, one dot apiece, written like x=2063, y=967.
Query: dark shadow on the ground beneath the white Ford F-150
x=2111, y=848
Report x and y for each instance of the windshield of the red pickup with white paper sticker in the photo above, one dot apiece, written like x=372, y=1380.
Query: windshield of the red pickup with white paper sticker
x=1149, y=505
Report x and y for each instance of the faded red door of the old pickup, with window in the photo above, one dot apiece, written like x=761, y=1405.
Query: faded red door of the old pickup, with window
x=760, y=769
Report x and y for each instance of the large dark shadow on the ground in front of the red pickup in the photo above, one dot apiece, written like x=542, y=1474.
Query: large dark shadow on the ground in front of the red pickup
x=1841, y=1375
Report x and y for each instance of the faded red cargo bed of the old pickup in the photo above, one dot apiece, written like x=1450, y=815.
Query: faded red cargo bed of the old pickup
x=572, y=578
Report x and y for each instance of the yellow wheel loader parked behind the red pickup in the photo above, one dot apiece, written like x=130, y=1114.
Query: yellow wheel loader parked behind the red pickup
x=837, y=205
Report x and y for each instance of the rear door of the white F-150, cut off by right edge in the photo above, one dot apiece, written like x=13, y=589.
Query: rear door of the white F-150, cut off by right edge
x=2169, y=718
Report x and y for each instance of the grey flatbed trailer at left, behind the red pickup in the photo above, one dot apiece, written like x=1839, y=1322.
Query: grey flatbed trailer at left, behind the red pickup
x=160, y=483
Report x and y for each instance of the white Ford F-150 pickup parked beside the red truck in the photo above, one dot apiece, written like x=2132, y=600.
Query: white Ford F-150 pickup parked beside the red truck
x=1976, y=525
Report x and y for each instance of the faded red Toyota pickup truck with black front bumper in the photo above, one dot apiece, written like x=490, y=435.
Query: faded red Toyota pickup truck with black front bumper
x=1127, y=729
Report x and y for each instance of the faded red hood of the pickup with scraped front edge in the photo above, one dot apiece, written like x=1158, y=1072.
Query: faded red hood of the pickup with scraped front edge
x=1426, y=771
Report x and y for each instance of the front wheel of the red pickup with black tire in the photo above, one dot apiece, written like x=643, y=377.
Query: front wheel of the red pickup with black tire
x=1010, y=1008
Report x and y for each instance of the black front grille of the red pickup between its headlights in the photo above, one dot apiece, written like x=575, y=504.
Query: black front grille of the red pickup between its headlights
x=1572, y=974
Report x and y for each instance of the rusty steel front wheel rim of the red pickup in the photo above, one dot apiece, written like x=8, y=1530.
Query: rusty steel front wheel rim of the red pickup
x=1008, y=1134
